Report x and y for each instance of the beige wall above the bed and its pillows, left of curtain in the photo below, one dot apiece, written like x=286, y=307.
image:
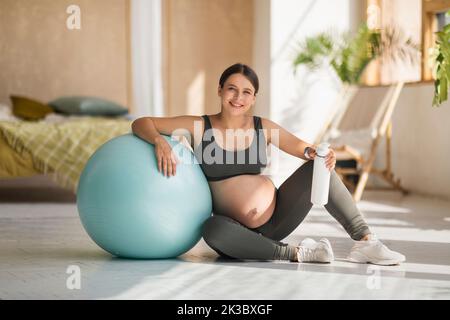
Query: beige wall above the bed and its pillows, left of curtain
x=41, y=58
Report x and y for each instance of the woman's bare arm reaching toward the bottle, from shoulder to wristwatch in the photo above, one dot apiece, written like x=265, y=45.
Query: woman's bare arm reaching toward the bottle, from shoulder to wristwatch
x=284, y=140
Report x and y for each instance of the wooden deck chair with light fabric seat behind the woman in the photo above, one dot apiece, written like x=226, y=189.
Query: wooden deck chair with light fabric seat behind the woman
x=356, y=131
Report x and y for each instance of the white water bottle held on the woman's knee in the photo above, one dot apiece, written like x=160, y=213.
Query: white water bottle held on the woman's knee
x=321, y=176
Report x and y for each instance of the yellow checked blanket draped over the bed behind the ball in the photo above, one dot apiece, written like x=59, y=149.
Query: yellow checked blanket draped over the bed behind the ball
x=62, y=149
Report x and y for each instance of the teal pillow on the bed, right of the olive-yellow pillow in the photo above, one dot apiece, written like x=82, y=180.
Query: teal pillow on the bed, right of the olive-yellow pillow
x=77, y=105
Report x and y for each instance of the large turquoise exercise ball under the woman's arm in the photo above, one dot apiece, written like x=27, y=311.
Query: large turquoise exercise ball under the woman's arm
x=132, y=210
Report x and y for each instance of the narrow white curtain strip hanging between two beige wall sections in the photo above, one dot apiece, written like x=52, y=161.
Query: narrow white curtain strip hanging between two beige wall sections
x=146, y=62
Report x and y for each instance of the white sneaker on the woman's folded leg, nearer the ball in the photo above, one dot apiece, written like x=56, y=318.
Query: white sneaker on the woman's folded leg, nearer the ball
x=312, y=251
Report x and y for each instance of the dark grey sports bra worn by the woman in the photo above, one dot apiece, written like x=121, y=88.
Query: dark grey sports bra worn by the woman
x=218, y=164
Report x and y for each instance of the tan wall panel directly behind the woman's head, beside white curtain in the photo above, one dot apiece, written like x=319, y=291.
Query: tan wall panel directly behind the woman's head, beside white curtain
x=201, y=38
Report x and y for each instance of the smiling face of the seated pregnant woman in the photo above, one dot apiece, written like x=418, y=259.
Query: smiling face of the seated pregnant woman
x=237, y=94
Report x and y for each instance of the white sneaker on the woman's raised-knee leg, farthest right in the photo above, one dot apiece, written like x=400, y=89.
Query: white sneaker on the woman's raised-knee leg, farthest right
x=375, y=252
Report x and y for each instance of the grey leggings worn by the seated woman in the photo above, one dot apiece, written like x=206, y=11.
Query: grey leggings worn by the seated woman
x=231, y=239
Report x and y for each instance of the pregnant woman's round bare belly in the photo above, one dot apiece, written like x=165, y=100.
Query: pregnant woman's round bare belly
x=248, y=199
